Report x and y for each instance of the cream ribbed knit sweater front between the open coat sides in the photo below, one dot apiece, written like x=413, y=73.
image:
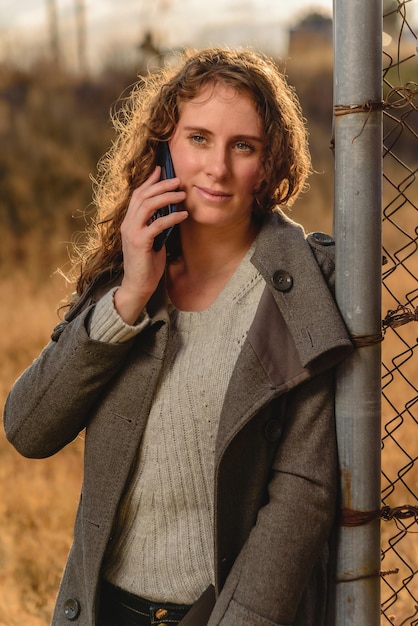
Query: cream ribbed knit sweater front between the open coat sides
x=163, y=549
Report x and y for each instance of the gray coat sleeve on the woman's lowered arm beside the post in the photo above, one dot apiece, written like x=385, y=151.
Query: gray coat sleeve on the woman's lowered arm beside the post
x=267, y=581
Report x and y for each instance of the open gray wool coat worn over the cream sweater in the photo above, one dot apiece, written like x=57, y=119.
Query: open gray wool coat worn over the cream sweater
x=276, y=470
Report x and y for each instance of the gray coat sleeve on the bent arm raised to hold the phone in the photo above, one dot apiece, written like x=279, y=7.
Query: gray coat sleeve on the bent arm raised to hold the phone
x=52, y=400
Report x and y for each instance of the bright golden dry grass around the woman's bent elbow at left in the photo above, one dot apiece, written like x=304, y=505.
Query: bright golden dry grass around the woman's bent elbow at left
x=38, y=498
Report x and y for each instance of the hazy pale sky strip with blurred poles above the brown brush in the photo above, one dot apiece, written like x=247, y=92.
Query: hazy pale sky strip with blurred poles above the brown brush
x=87, y=34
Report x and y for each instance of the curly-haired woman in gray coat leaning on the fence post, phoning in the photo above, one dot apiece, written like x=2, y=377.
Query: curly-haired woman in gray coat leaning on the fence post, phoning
x=202, y=372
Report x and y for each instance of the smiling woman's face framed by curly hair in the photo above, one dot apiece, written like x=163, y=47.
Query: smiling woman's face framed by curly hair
x=217, y=151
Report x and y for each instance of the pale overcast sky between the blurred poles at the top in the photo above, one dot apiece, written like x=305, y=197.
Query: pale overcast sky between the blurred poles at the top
x=117, y=24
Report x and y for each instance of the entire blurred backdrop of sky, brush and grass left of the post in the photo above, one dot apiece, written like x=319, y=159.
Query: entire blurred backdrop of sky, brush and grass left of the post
x=63, y=66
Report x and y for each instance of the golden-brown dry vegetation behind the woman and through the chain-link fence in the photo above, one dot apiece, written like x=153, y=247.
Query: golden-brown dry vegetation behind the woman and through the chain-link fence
x=54, y=128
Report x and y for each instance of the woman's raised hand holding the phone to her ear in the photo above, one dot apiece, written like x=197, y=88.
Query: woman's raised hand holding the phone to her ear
x=143, y=266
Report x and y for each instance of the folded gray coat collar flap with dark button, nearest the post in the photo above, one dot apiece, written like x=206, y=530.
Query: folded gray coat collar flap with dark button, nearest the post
x=301, y=294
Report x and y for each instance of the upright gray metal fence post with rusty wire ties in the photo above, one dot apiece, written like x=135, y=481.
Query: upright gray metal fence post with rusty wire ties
x=357, y=226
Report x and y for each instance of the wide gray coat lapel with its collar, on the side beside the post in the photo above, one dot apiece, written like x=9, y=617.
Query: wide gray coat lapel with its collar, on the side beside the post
x=297, y=332
